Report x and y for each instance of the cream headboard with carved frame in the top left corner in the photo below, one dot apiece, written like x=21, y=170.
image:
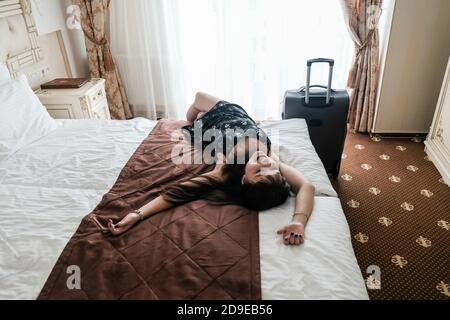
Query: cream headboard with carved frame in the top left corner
x=19, y=46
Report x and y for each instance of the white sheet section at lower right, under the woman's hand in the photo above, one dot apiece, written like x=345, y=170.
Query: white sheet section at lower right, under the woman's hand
x=324, y=267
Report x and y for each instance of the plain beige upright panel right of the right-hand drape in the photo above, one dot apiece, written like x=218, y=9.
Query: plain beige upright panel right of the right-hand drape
x=415, y=61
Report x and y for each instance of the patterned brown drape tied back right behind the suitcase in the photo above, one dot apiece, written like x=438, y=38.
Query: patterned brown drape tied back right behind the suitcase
x=362, y=17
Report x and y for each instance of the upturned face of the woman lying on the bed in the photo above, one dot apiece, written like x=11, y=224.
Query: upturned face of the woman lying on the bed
x=259, y=167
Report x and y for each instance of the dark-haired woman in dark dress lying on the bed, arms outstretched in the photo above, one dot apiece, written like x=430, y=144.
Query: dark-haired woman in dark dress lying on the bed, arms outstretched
x=259, y=182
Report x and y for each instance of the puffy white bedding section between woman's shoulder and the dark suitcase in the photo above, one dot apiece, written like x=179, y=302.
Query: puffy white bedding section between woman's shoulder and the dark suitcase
x=295, y=148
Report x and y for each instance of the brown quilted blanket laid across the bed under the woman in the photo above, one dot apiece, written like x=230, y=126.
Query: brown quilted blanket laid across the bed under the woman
x=194, y=251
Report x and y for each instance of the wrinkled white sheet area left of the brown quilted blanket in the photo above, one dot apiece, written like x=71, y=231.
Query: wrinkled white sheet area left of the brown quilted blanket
x=48, y=187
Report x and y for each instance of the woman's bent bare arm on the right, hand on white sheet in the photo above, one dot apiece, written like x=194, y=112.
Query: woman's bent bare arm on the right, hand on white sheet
x=294, y=233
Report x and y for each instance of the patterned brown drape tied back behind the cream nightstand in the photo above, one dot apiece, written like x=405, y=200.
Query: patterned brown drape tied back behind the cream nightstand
x=101, y=62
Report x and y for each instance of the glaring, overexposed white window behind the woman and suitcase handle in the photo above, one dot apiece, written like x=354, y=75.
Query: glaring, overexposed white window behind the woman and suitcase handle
x=251, y=51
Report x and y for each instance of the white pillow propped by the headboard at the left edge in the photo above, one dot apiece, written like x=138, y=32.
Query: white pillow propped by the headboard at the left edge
x=23, y=119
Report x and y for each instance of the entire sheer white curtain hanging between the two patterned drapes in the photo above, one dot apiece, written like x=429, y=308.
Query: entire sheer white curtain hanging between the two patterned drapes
x=245, y=51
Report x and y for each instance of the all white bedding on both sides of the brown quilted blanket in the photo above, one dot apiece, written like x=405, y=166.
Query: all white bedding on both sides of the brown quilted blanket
x=46, y=188
